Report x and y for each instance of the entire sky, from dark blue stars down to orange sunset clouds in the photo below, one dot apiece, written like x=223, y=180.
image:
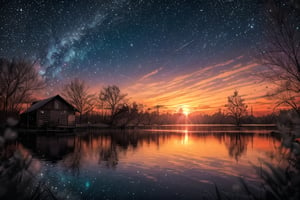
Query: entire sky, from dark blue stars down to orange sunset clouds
x=188, y=54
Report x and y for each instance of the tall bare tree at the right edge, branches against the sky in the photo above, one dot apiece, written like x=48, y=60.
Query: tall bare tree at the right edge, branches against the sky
x=281, y=52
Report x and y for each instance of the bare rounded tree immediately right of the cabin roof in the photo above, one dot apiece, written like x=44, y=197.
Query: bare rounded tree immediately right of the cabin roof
x=77, y=93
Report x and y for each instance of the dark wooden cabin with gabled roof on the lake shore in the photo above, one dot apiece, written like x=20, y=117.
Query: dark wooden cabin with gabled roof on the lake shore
x=51, y=112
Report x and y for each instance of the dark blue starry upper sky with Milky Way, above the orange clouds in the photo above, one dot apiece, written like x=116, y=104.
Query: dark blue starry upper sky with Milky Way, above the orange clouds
x=122, y=42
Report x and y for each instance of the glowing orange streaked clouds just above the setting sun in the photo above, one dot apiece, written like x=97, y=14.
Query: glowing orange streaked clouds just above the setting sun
x=206, y=89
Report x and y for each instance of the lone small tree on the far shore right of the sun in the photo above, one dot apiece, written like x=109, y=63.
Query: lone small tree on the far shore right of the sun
x=236, y=107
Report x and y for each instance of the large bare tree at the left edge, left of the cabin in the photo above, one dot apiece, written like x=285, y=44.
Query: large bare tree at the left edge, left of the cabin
x=18, y=81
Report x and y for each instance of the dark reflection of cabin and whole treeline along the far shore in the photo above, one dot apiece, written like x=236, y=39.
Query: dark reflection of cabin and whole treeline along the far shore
x=107, y=147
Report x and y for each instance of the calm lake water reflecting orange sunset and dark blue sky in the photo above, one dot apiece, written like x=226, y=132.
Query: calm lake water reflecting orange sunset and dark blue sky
x=168, y=162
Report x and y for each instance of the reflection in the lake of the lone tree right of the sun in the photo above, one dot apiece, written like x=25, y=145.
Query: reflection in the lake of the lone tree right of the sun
x=236, y=145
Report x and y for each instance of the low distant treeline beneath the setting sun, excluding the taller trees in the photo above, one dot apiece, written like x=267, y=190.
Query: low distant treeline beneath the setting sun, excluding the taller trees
x=132, y=117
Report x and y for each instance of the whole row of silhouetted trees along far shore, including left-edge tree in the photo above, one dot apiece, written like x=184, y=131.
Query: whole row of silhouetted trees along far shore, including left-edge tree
x=111, y=106
